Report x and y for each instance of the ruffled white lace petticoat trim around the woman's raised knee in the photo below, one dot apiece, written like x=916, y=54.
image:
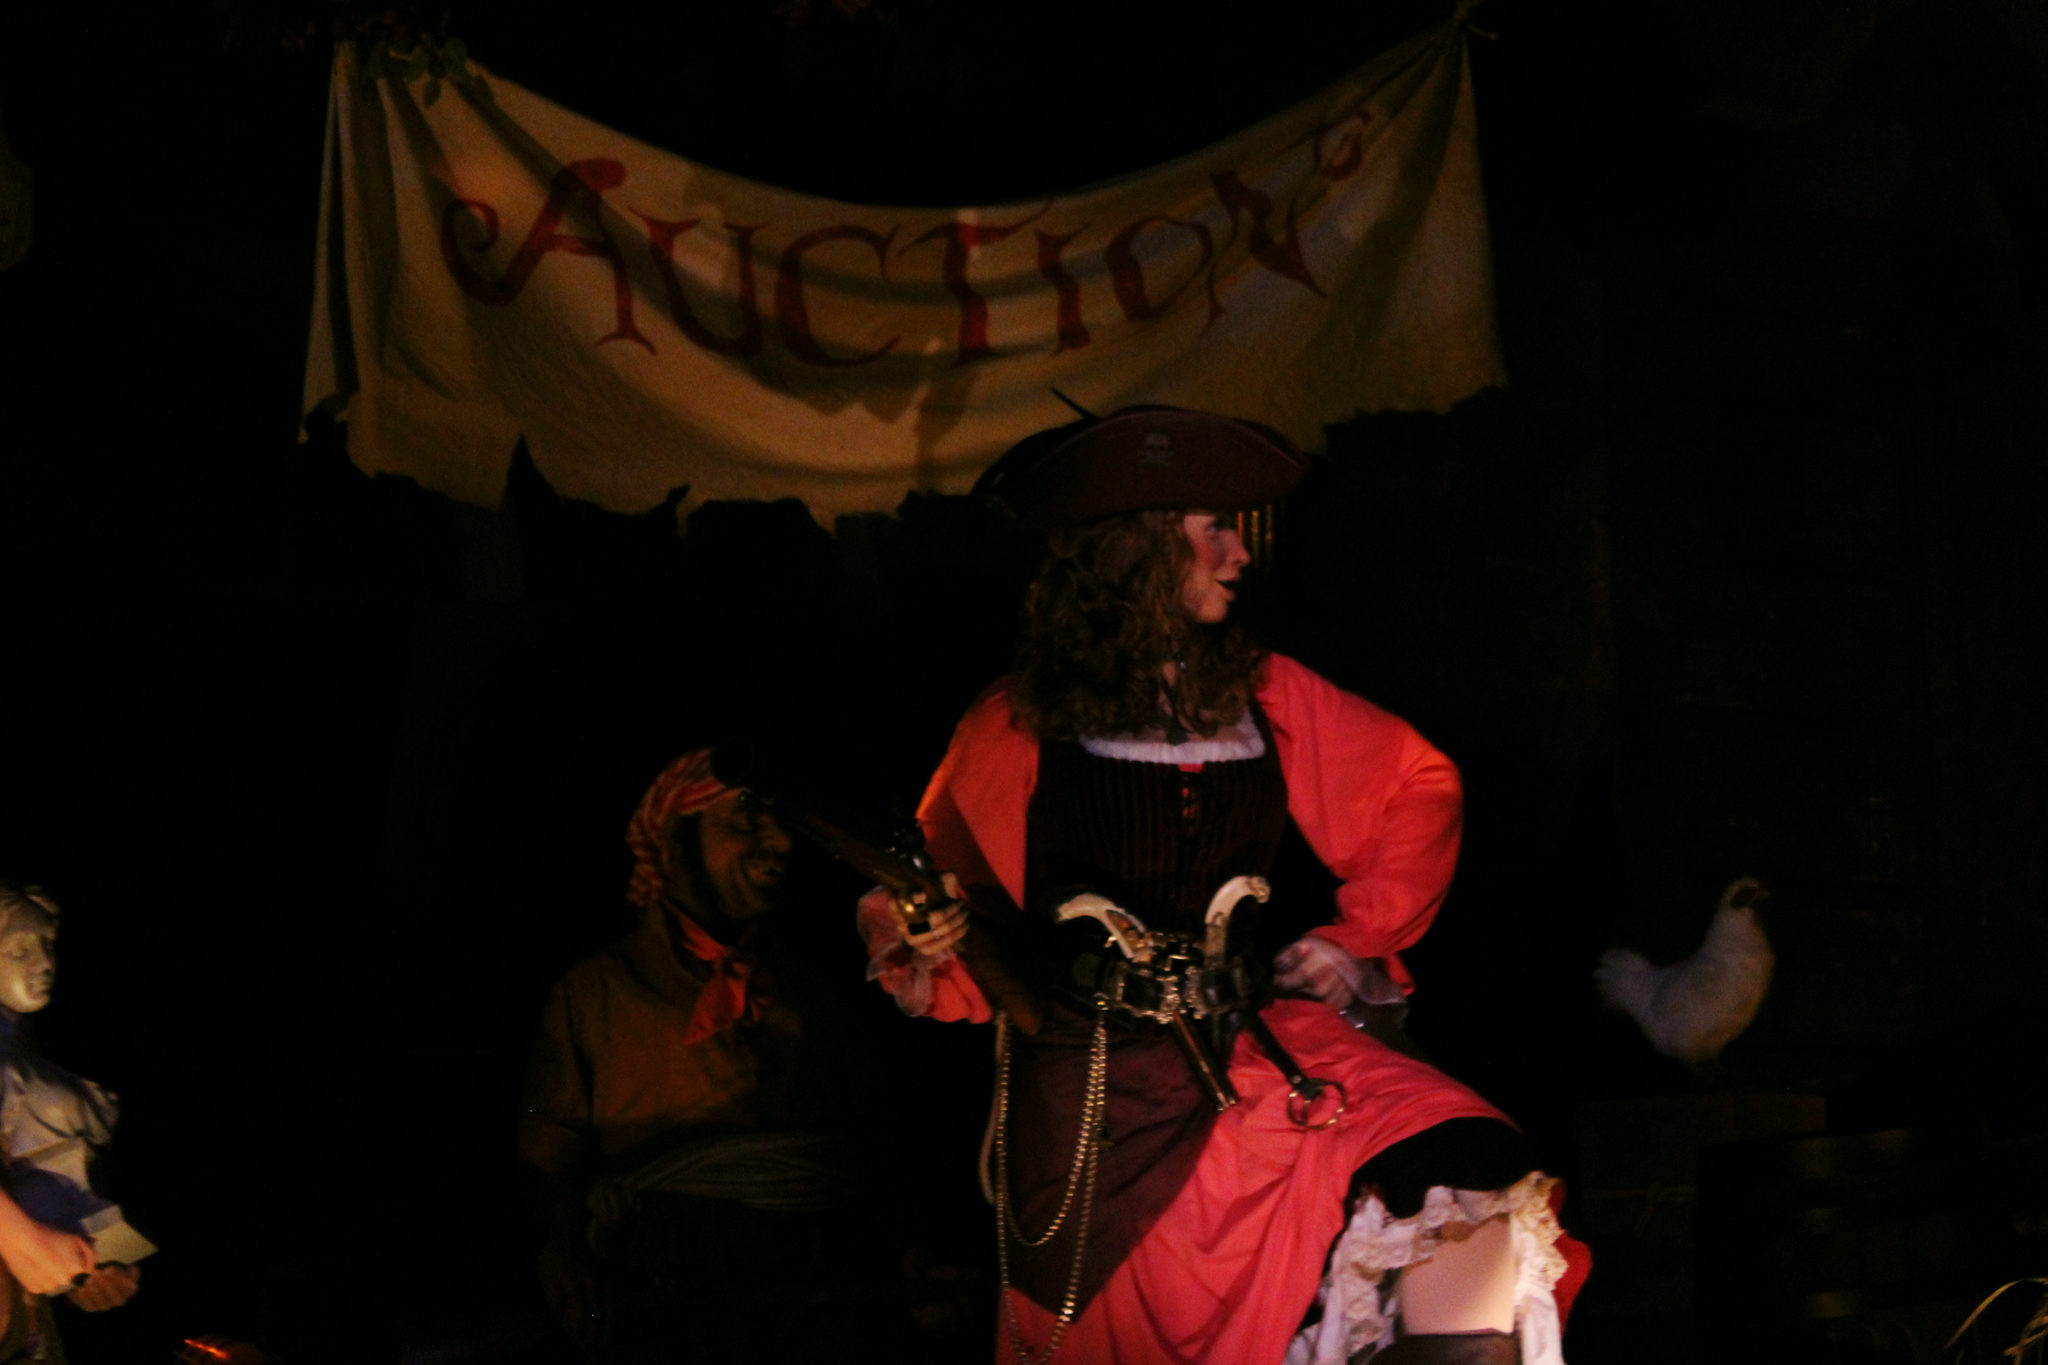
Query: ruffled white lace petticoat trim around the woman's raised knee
x=1361, y=1309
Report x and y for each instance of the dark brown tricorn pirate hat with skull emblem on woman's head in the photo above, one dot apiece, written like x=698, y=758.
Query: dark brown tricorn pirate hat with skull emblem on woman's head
x=1140, y=459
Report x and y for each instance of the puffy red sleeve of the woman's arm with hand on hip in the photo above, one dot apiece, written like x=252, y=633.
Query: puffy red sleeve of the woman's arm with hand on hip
x=1377, y=803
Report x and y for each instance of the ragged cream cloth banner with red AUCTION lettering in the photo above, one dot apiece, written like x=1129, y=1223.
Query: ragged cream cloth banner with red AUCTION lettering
x=495, y=267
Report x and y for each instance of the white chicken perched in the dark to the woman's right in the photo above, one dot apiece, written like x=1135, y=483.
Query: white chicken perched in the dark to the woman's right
x=1699, y=1006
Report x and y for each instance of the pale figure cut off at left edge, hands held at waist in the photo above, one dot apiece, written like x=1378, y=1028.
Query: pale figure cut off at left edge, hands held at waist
x=56, y=1233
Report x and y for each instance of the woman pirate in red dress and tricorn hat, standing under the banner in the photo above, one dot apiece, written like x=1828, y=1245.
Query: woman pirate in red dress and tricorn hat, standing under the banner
x=1326, y=1196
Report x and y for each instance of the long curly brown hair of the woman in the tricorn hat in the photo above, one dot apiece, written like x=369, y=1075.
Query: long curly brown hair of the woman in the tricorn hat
x=1103, y=621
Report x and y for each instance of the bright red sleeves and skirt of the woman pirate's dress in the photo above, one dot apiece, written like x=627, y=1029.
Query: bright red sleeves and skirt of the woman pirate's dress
x=1230, y=1268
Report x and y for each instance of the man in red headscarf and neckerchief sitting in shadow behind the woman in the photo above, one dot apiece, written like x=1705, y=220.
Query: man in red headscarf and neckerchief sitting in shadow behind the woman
x=685, y=1104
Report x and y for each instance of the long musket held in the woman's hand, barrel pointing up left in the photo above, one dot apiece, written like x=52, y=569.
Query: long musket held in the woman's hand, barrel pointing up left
x=900, y=865
